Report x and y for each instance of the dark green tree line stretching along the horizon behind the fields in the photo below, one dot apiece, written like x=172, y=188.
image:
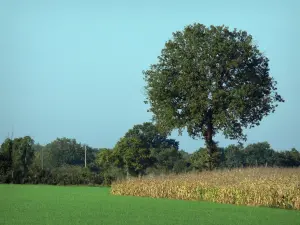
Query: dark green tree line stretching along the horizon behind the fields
x=143, y=150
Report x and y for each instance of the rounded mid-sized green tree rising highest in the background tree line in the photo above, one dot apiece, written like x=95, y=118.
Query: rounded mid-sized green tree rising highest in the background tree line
x=143, y=147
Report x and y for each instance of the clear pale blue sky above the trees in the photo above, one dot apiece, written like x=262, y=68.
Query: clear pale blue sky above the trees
x=74, y=69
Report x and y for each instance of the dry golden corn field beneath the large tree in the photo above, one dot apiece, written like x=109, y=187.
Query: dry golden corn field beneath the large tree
x=271, y=187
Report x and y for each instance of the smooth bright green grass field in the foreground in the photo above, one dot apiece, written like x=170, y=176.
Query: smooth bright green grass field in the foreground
x=53, y=205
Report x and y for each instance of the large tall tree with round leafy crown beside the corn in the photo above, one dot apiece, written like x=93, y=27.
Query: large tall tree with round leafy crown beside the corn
x=209, y=80
